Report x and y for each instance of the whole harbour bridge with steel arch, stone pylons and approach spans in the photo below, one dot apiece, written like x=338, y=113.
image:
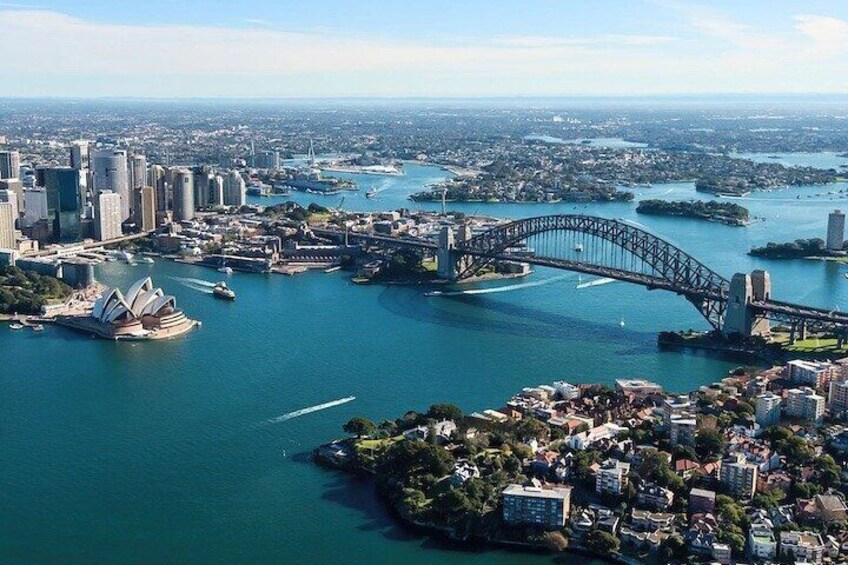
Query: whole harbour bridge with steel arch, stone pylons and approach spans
x=617, y=250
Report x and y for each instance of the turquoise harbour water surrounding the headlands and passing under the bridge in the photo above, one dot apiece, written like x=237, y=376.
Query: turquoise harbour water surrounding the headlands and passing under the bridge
x=158, y=452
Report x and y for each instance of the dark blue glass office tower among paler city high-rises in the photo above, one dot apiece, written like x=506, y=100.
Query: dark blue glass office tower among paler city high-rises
x=65, y=200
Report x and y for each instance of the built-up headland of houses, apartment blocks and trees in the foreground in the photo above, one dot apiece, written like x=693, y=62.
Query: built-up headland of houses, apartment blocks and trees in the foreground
x=750, y=464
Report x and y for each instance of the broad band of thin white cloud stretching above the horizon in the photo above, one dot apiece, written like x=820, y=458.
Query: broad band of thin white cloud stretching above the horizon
x=55, y=54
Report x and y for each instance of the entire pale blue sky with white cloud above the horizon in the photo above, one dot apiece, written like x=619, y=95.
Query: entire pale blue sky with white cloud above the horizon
x=424, y=48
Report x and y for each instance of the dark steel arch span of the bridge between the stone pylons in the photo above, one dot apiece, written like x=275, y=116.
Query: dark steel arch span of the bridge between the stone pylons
x=663, y=265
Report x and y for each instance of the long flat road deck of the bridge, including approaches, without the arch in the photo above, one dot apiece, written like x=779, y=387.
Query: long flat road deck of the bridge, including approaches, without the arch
x=775, y=309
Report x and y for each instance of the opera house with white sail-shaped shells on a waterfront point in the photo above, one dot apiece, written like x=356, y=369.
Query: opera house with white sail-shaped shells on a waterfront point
x=144, y=312
